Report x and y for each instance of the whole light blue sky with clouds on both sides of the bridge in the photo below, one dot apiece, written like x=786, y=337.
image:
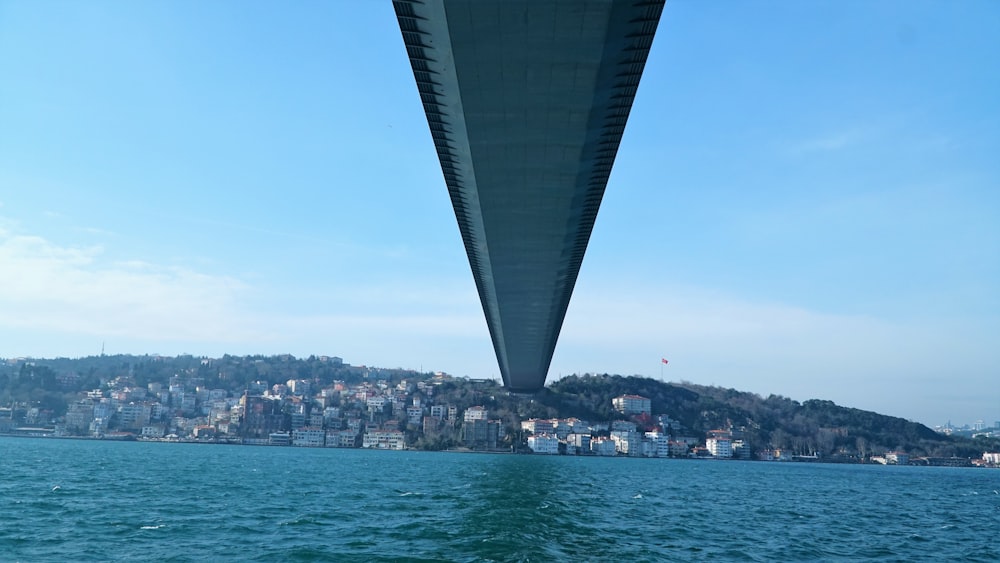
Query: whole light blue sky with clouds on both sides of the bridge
x=806, y=200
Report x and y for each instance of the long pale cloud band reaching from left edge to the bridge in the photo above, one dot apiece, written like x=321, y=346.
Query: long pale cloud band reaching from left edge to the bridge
x=65, y=300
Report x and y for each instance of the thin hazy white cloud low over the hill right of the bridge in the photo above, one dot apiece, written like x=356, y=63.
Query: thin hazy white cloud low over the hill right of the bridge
x=715, y=338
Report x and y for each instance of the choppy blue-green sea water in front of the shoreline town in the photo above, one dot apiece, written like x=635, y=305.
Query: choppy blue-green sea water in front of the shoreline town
x=90, y=500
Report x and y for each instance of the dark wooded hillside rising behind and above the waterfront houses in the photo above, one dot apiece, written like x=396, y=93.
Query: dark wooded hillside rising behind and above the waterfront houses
x=813, y=426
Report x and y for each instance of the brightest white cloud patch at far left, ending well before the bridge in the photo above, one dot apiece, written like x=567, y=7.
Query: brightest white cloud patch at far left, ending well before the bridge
x=67, y=289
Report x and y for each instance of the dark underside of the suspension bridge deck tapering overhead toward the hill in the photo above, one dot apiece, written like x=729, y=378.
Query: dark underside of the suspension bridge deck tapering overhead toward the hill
x=526, y=101
